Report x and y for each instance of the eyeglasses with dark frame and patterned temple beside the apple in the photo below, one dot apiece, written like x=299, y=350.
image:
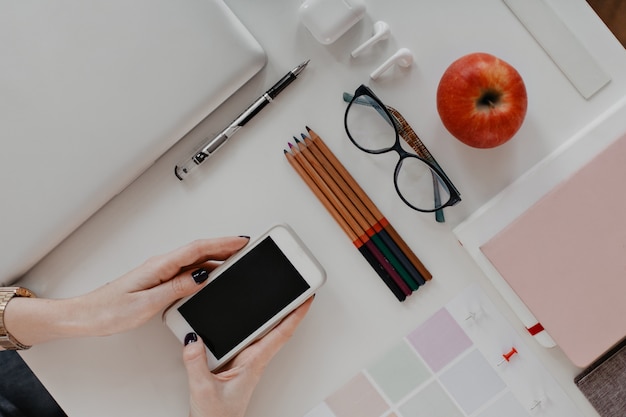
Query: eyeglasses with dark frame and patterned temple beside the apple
x=376, y=128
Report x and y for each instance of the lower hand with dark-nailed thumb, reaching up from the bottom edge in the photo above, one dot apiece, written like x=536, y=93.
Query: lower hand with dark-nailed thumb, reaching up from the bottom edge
x=227, y=393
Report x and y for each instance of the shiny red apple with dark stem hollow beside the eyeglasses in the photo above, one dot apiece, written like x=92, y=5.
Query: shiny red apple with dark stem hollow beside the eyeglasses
x=481, y=100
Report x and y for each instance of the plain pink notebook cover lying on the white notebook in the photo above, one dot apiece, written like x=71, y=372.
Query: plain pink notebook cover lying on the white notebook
x=565, y=257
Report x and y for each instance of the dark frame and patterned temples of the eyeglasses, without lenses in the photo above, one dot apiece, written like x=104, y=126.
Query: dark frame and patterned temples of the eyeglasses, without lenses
x=393, y=115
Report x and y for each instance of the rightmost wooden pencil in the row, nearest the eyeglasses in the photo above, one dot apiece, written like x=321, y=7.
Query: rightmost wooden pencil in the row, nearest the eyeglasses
x=384, y=223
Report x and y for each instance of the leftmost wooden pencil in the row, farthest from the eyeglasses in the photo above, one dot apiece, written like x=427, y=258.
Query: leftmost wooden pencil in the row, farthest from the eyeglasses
x=371, y=255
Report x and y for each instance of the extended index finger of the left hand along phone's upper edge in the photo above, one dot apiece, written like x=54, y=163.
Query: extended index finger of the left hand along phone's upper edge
x=162, y=268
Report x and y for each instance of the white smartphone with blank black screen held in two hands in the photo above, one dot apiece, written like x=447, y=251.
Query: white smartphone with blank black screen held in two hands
x=249, y=294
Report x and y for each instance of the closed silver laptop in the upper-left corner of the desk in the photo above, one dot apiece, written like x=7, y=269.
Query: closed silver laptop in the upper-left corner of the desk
x=91, y=93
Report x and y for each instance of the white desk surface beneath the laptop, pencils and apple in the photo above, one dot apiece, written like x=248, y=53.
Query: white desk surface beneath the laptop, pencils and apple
x=249, y=186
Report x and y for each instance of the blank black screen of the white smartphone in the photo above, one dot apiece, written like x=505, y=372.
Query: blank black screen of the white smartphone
x=245, y=296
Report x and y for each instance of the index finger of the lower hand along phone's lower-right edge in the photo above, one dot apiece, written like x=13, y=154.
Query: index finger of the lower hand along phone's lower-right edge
x=270, y=344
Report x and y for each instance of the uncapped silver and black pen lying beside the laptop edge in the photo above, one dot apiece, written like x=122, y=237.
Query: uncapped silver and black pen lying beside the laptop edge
x=184, y=169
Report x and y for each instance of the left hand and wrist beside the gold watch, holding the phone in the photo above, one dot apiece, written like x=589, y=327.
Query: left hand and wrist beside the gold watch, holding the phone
x=125, y=303
